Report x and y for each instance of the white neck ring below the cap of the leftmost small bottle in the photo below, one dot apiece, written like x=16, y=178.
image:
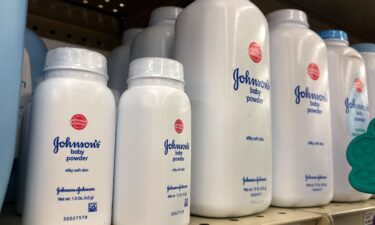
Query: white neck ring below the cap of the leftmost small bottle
x=76, y=74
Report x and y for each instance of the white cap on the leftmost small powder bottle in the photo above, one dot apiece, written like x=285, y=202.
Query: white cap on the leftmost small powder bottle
x=76, y=59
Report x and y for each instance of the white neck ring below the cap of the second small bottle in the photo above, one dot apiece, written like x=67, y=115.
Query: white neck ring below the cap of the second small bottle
x=155, y=81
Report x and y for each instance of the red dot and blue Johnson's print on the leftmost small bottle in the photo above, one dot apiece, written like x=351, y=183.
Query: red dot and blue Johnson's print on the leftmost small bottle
x=78, y=157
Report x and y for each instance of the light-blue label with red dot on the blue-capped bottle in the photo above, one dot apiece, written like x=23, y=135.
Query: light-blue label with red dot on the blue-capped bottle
x=356, y=108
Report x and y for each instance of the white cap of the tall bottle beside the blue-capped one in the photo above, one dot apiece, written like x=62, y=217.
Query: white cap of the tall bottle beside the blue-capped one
x=288, y=15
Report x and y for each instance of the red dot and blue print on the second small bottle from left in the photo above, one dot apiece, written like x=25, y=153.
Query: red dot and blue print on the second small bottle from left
x=176, y=150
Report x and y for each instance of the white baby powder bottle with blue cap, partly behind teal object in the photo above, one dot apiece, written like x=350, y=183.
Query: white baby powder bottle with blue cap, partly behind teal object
x=349, y=108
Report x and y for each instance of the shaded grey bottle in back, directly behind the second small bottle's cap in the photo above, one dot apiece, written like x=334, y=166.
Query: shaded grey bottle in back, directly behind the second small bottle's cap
x=157, y=39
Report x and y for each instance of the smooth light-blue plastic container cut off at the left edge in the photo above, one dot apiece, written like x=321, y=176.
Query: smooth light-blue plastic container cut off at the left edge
x=12, y=28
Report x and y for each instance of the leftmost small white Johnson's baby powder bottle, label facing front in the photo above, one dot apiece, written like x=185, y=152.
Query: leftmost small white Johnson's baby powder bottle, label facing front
x=70, y=165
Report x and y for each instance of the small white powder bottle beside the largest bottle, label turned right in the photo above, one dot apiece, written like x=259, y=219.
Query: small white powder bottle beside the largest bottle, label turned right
x=153, y=148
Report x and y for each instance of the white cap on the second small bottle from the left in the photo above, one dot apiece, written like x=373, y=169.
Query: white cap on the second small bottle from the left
x=154, y=67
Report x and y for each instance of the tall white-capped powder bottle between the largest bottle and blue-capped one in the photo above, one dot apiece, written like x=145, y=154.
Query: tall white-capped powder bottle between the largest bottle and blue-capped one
x=301, y=121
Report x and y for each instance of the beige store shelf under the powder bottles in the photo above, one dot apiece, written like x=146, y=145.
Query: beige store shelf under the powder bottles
x=360, y=213
